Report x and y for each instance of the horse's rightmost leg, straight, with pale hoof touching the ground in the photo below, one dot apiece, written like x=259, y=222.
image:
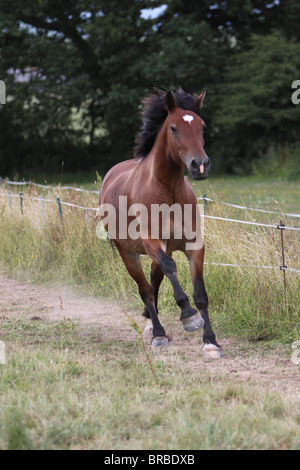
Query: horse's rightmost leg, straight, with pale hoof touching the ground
x=196, y=258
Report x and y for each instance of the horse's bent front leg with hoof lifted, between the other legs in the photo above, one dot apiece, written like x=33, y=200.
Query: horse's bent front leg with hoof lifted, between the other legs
x=190, y=318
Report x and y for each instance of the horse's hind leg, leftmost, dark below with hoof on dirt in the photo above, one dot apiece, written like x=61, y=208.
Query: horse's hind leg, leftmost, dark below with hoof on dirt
x=133, y=264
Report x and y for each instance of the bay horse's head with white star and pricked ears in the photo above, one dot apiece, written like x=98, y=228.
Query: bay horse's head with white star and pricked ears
x=185, y=137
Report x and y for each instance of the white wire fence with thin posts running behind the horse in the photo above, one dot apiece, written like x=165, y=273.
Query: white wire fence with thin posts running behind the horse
x=283, y=267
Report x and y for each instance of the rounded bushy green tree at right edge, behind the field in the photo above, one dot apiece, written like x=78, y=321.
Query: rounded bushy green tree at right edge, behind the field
x=256, y=110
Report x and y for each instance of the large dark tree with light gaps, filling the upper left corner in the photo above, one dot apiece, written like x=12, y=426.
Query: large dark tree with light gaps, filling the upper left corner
x=81, y=58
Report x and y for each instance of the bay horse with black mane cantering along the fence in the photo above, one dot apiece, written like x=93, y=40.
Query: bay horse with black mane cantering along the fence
x=169, y=142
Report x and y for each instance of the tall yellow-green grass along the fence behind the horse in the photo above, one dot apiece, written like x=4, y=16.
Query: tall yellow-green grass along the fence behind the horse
x=243, y=301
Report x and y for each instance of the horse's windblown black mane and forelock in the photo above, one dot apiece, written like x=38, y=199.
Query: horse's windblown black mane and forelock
x=154, y=114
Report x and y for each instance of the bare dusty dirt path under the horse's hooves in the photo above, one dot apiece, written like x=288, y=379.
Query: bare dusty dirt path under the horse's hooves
x=242, y=361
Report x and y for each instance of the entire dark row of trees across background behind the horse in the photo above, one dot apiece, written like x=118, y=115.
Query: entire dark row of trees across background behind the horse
x=76, y=73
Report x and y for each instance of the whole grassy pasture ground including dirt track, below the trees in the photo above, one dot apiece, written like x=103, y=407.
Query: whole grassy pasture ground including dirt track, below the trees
x=76, y=374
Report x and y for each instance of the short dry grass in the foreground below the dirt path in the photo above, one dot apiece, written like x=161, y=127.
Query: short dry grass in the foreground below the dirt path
x=61, y=390
